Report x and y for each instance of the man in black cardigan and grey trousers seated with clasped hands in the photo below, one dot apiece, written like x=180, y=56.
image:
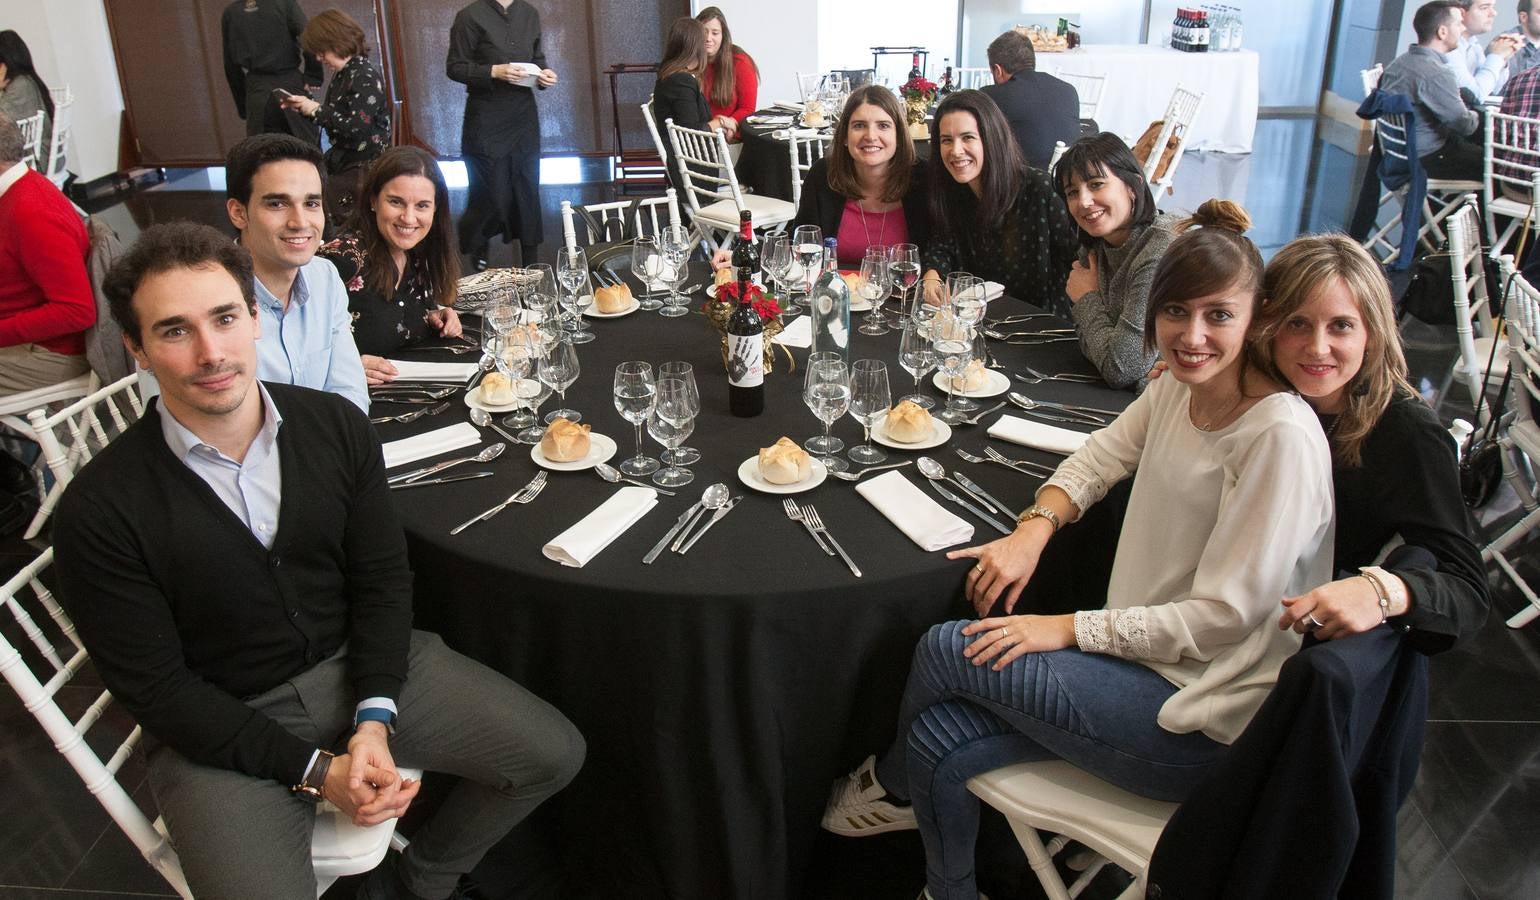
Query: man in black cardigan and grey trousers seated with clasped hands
x=236, y=571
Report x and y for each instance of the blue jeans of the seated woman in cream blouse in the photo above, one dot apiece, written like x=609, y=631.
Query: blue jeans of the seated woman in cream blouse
x=962, y=720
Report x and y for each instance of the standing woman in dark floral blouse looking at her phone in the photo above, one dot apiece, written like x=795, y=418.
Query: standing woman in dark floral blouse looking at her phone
x=355, y=115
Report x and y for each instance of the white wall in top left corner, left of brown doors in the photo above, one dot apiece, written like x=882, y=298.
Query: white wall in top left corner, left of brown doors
x=72, y=45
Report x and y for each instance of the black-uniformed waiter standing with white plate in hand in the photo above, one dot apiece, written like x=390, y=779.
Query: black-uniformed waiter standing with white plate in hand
x=495, y=52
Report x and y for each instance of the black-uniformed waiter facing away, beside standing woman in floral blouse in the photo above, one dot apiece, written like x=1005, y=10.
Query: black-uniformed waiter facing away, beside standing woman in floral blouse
x=263, y=55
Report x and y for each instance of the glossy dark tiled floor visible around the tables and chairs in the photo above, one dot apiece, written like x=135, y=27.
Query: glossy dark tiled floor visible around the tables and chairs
x=1467, y=833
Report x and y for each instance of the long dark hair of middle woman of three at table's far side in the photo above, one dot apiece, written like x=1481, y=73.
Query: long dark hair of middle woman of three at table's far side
x=1002, y=181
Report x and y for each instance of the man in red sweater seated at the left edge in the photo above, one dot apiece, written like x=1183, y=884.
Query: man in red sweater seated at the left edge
x=45, y=294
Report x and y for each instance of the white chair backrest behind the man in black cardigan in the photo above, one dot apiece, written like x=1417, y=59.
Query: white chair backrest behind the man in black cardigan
x=56, y=657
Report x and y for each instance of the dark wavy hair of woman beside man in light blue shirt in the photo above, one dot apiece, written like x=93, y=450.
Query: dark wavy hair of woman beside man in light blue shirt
x=437, y=249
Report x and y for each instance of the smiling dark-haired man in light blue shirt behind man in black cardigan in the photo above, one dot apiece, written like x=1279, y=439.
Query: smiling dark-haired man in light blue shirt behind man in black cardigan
x=273, y=187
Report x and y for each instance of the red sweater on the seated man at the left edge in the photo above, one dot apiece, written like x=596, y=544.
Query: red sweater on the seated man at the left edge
x=45, y=294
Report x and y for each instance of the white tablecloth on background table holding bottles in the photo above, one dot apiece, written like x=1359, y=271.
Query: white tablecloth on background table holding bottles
x=1140, y=82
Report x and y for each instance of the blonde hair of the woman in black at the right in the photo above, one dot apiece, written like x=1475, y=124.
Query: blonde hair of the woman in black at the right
x=1294, y=278
